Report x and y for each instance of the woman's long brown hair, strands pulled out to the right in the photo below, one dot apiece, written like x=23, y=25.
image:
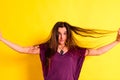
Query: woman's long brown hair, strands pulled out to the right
x=52, y=43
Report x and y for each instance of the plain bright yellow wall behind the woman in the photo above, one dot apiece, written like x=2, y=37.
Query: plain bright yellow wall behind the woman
x=26, y=22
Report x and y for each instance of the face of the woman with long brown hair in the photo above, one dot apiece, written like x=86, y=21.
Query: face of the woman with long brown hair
x=62, y=35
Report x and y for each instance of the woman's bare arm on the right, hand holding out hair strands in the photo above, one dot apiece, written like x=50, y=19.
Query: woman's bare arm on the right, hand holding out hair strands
x=101, y=50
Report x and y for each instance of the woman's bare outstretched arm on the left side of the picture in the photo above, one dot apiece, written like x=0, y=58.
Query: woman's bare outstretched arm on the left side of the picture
x=29, y=50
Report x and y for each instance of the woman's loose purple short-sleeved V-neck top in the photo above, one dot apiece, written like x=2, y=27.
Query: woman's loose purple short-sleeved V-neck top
x=63, y=67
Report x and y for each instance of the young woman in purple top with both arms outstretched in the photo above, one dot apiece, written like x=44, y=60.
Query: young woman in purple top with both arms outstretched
x=61, y=57
